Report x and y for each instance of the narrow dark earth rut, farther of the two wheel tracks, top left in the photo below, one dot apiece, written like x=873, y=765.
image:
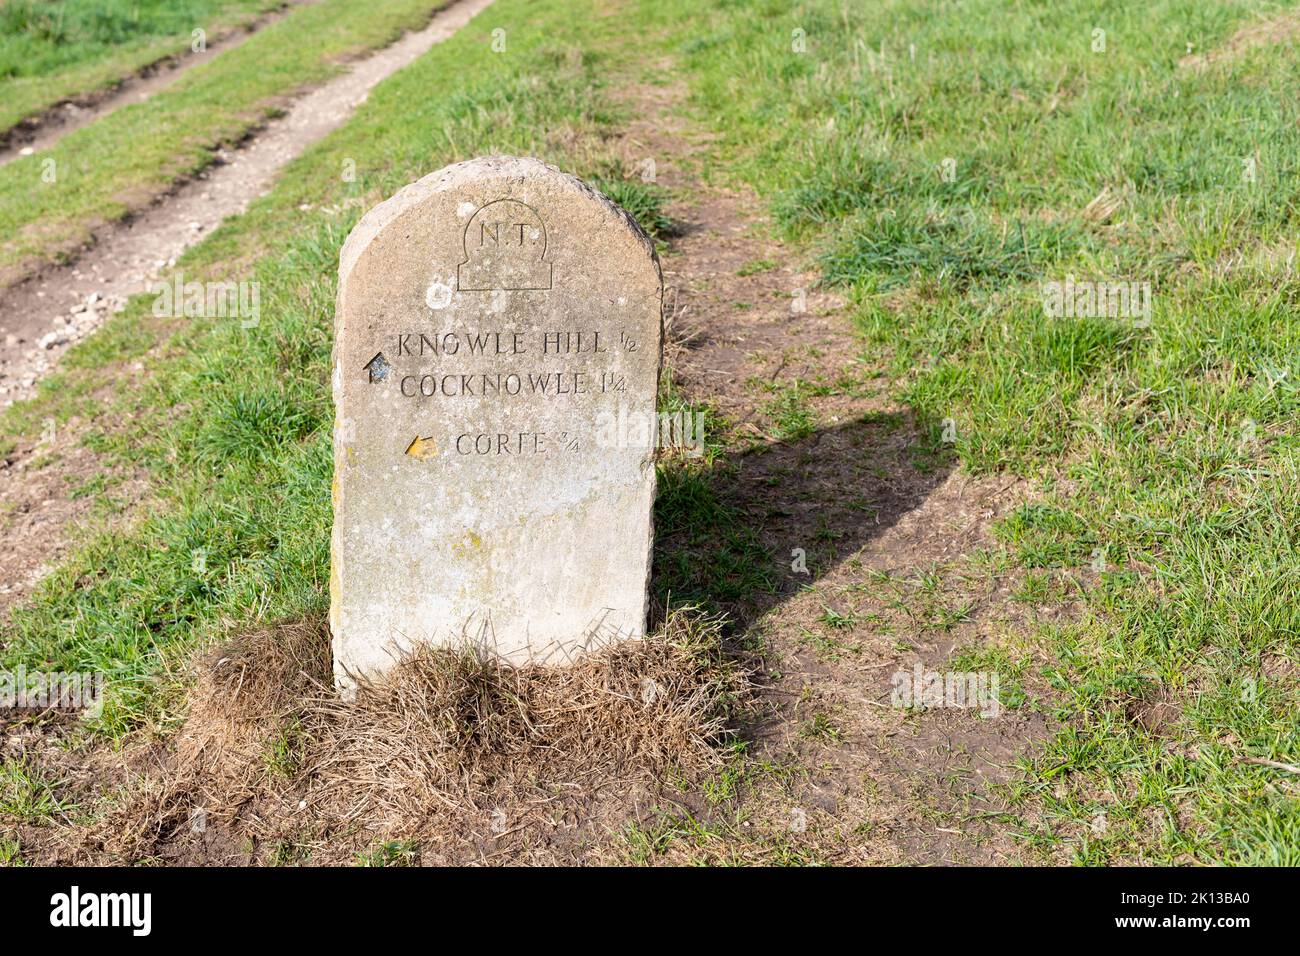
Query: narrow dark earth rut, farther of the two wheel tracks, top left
x=46, y=129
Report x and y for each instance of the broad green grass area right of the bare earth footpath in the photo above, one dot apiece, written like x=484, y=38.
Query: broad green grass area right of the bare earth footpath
x=1133, y=436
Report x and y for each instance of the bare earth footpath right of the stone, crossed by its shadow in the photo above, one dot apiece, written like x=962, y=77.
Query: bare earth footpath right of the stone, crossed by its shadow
x=885, y=526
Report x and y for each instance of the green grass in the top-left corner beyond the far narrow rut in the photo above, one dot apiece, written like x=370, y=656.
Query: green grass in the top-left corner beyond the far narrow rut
x=55, y=51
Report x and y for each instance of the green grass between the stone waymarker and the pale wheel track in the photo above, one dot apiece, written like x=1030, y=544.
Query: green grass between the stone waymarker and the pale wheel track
x=241, y=465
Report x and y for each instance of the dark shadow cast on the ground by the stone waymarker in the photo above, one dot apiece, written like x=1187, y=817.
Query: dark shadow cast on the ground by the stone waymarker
x=744, y=535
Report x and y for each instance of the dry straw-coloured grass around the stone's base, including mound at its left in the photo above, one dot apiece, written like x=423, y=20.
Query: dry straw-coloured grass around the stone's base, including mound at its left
x=448, y=751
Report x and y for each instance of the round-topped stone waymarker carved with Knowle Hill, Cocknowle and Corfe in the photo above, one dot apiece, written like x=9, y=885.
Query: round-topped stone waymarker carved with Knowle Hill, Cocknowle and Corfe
x=496, y=366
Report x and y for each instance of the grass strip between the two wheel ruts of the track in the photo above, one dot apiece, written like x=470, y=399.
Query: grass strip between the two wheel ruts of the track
x=107, y=168
